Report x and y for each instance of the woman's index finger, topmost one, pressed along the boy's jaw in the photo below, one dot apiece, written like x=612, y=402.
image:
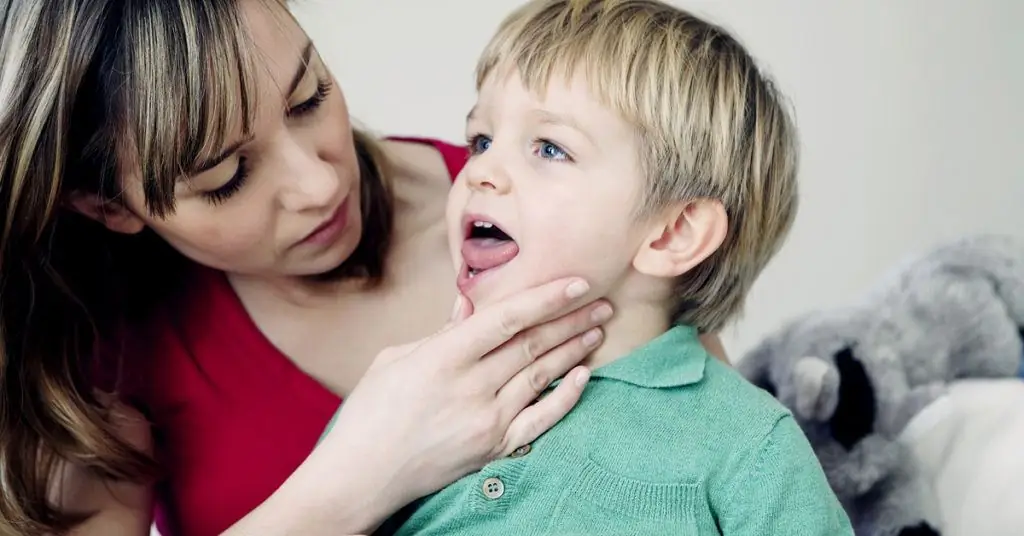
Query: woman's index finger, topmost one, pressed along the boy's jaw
x=493, y=326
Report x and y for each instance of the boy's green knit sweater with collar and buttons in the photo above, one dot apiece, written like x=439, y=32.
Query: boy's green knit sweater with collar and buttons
x=666, y=441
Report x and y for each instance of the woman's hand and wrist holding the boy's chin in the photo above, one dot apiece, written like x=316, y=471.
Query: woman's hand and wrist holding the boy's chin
x=429, y=414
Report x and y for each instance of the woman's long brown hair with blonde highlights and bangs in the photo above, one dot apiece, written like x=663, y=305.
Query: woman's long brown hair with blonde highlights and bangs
x=89, y=89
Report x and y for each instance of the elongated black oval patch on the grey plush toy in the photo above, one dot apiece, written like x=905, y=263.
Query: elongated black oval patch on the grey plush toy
x=858, y=407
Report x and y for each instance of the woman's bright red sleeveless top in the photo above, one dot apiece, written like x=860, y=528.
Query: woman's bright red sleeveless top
x=233, y=417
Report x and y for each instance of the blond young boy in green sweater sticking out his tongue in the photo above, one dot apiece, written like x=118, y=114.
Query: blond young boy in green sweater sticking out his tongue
x=638, y=146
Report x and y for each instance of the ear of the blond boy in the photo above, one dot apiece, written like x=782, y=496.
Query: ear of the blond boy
x=682, y=238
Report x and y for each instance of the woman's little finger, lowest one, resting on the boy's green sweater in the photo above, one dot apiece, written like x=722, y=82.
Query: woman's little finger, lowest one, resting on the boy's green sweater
x=536, y=420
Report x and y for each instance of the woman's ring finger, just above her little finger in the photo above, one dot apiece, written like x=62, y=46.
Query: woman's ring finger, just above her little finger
x=533, y=381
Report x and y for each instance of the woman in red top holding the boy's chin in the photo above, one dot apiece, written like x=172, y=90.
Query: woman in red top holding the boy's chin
x=201, y=259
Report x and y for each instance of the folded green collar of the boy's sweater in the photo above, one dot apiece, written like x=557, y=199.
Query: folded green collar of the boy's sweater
x=674, y=359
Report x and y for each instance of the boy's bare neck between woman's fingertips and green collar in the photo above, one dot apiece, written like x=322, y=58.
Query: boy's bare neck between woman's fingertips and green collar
x=633, y=326
